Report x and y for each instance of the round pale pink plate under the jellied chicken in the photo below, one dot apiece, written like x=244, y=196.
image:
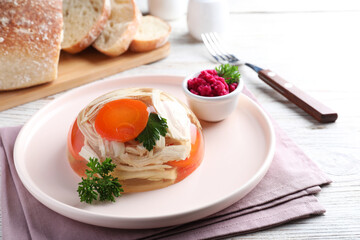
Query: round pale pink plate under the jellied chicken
x=238, y=153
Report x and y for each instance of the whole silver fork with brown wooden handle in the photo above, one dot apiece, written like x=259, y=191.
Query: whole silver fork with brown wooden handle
x=310, y=105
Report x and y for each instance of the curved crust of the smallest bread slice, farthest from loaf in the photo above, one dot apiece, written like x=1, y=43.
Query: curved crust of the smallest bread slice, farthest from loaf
x=138, y=45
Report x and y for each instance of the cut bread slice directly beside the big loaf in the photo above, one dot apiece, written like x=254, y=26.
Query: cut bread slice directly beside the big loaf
x=84, y=21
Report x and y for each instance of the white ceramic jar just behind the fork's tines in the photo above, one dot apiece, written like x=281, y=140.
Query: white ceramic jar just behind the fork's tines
x=207, y=16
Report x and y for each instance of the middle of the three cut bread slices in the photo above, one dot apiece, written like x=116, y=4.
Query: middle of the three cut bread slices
x=120, y=29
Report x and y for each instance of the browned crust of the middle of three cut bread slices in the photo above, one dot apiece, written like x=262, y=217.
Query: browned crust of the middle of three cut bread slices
x=123, y=42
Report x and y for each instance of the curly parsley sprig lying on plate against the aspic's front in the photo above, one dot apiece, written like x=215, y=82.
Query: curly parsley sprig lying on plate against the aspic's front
x=99, y=184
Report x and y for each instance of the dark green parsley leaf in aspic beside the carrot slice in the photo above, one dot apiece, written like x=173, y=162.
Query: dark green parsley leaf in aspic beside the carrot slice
x=155, y=127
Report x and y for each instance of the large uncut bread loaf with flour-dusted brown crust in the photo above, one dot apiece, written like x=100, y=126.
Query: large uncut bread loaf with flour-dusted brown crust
x=30, y=39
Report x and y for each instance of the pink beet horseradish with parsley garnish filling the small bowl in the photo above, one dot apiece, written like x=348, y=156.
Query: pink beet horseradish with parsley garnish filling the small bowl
x=215, y=82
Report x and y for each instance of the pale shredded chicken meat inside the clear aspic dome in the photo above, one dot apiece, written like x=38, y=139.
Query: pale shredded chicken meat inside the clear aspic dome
x=132, y=158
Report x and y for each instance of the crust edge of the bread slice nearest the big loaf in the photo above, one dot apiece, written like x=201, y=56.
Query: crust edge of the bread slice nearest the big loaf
x=95, y=31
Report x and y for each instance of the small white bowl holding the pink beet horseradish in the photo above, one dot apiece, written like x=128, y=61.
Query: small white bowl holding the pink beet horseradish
x=212, y=109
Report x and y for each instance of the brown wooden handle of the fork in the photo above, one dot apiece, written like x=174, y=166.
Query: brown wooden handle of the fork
x=310, y=105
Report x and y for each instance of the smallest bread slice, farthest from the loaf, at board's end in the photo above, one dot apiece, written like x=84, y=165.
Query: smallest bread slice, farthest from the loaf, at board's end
x=152, y=33
